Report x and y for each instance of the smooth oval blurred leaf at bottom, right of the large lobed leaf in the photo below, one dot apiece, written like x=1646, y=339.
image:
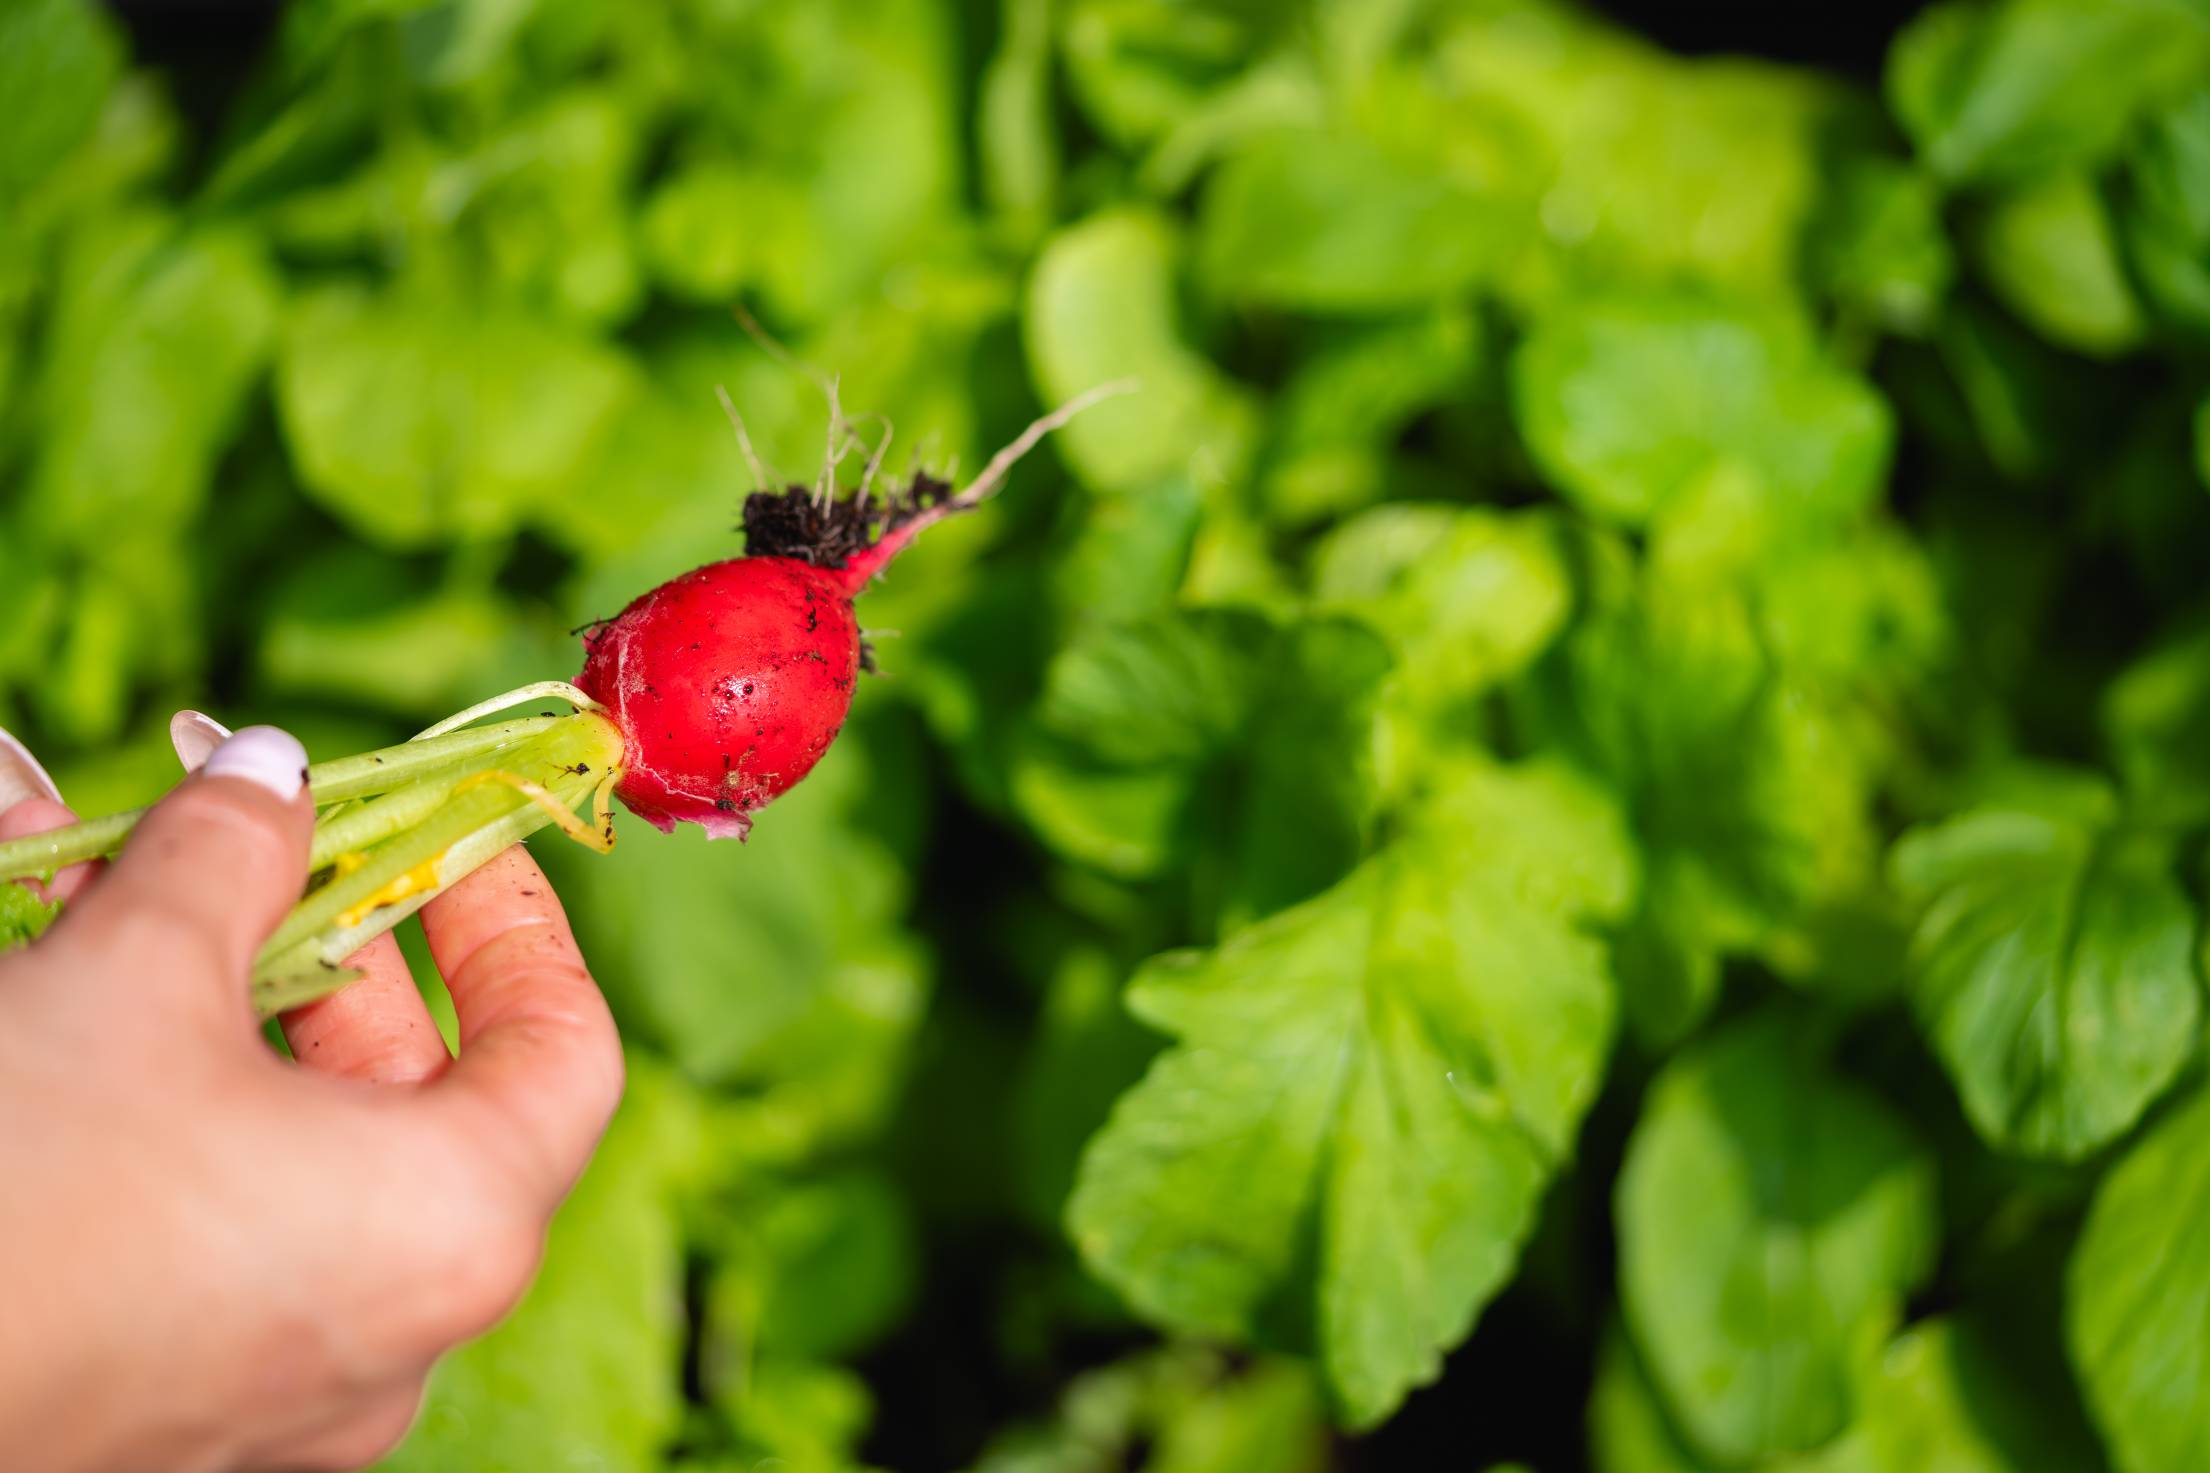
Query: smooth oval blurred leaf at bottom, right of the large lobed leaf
x=1771, y=1222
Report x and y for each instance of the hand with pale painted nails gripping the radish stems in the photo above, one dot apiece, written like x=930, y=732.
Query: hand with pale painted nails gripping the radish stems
x=222, y=1260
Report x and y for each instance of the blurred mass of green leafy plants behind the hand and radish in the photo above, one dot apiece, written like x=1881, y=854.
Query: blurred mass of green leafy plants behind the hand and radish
x=1575, y=843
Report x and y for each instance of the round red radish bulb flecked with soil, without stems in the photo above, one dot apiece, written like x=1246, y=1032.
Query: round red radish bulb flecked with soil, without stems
x=730, y=683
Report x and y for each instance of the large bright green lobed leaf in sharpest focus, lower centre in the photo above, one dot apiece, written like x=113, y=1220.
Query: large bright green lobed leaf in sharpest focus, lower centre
x=1369, y=1092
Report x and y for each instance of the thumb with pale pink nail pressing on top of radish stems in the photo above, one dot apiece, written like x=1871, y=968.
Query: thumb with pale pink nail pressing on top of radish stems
x=209, y=873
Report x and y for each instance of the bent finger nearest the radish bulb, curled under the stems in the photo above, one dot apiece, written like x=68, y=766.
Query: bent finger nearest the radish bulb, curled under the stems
x=540, y=1063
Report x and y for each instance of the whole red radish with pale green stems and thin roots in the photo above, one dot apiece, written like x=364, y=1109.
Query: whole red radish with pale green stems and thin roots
x=702, y=701
